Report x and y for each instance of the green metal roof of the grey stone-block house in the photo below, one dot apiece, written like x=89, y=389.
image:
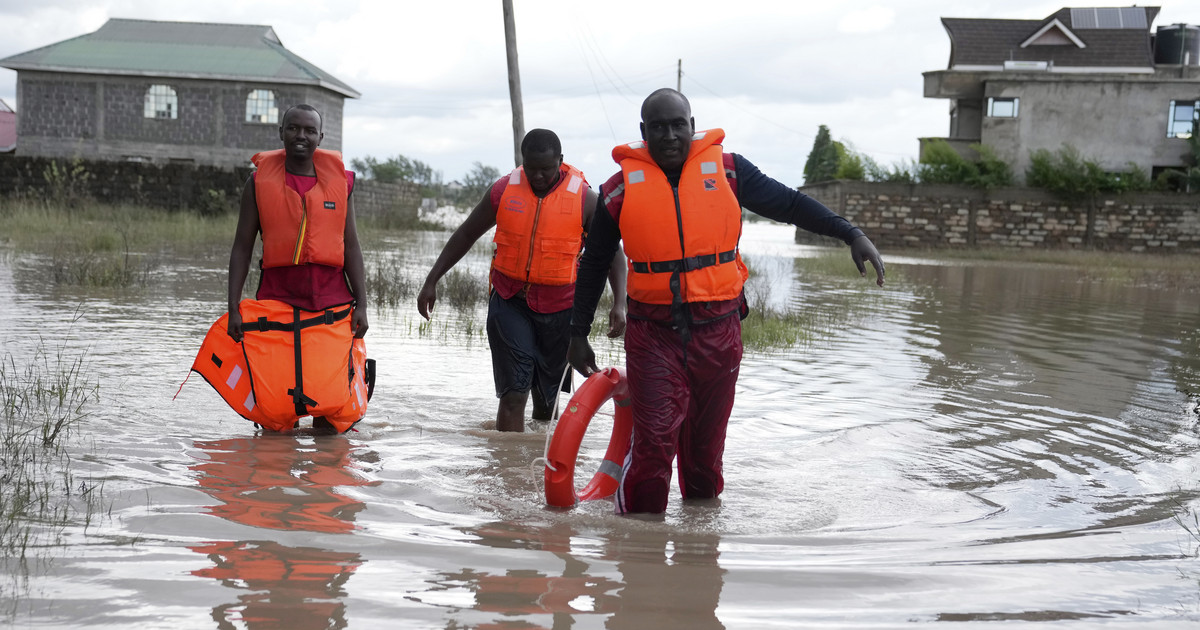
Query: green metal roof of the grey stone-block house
x=179, y=50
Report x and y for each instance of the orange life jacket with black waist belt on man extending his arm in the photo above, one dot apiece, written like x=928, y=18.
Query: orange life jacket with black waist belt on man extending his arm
x=688, y=241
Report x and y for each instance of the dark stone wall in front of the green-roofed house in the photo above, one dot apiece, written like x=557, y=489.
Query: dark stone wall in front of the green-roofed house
x=173, y=187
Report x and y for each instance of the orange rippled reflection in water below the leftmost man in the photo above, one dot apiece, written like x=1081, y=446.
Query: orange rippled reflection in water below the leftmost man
x=285, y=483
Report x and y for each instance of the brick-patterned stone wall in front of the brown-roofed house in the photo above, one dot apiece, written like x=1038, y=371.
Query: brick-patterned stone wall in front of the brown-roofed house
x=899, y=215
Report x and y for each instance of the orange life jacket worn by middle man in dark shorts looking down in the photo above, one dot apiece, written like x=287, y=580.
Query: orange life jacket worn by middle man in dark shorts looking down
x=538, y=241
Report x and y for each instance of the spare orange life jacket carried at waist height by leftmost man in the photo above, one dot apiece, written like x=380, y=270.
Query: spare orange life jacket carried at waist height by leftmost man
x=290, y=364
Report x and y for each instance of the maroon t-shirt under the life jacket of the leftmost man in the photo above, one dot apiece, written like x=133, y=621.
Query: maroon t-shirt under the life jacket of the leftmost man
x=310, y=287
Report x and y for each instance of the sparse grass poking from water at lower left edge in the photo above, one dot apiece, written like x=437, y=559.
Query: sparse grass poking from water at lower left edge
x=43, y=403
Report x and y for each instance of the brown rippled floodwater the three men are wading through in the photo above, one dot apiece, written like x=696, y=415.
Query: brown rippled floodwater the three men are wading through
x=974, y=443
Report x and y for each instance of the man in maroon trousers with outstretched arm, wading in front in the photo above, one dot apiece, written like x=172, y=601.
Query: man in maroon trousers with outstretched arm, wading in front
x=677, y=208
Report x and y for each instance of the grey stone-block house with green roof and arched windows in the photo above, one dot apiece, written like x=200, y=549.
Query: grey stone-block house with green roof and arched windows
x=167, y=92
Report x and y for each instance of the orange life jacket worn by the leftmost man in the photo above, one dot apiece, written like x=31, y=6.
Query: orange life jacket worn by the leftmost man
x=302, y=230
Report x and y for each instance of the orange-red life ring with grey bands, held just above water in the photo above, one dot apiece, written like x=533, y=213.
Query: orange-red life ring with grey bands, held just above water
x=565, y=446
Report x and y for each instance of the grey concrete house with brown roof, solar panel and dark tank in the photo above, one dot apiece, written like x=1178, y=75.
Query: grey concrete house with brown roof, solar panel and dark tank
x=1094, y=79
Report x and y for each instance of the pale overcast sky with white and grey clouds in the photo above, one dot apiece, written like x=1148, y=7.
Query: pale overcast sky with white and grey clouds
x=435, y=87
